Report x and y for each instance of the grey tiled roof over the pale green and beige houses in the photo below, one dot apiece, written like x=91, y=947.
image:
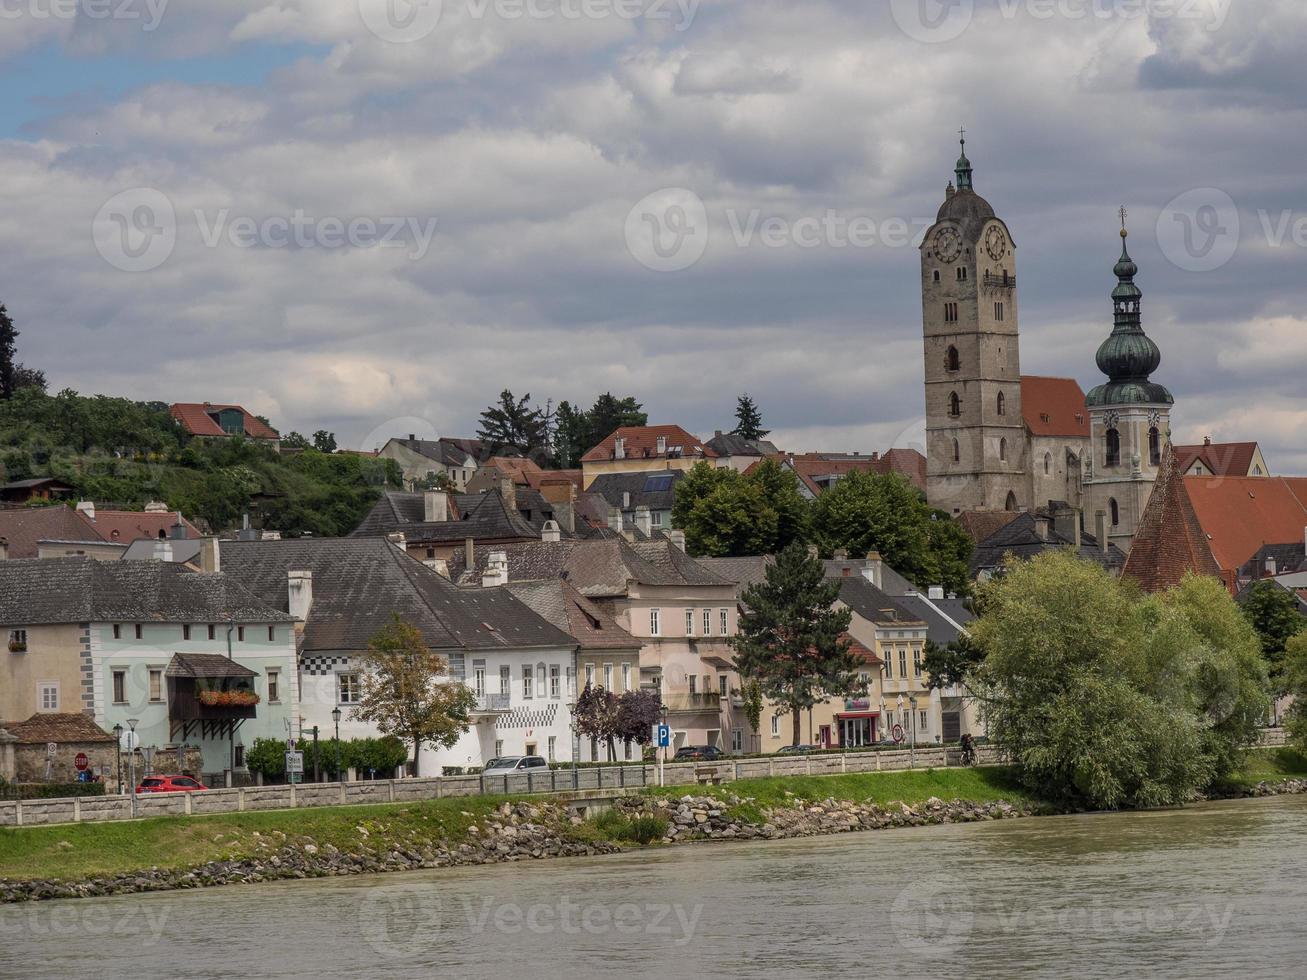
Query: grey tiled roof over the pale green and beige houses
x=46, y=591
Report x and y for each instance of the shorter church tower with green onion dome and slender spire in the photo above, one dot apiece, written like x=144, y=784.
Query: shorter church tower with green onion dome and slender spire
x=1130, y=417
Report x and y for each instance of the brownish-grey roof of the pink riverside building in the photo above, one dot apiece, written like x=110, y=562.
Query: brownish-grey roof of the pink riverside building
x=598, y=568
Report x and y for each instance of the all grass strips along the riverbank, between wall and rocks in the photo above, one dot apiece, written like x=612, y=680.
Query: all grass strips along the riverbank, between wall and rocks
x=75, y=853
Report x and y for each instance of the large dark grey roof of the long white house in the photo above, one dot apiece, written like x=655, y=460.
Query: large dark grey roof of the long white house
x=361, y=583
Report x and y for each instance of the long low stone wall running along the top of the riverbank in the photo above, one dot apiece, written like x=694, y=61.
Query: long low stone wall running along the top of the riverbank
x=31, y=813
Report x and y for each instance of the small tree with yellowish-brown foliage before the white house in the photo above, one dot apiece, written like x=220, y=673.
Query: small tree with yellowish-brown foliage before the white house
x=407, y=693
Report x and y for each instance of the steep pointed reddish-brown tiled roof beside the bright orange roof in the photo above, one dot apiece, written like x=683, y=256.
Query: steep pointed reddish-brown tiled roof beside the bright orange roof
x=1170, y=540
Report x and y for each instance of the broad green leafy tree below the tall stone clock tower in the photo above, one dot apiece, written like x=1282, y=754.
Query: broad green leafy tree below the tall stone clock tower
x=869, y=513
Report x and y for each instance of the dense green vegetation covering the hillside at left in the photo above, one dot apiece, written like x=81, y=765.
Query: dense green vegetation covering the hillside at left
x=125, y=454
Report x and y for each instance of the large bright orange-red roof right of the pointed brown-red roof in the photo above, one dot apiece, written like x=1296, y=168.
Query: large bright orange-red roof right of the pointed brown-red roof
x=1242, y=514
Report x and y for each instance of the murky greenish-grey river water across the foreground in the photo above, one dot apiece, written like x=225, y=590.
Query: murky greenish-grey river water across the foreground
x=1210, y=892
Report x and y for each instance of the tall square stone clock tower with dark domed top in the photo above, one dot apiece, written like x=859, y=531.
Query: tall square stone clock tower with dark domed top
x=974, y=431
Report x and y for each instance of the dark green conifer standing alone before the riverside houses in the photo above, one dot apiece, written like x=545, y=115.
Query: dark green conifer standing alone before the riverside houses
x=791, y=640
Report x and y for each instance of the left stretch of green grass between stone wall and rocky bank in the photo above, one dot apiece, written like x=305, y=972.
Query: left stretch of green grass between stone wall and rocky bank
x=88, y=850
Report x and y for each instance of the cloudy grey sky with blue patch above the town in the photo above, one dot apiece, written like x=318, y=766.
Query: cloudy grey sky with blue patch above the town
x=371, y=216
